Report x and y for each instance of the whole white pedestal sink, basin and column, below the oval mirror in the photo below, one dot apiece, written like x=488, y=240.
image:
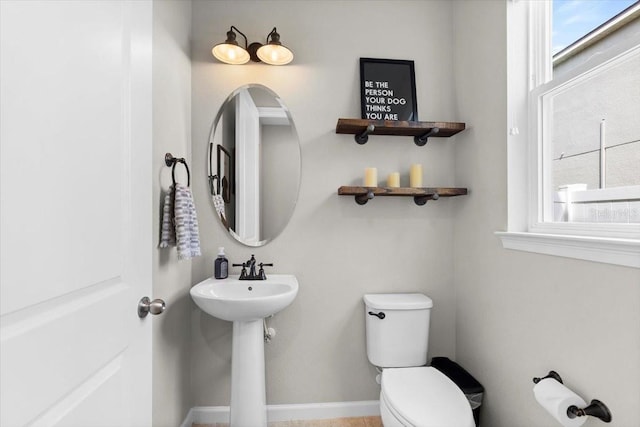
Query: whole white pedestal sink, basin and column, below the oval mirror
x=246, y=303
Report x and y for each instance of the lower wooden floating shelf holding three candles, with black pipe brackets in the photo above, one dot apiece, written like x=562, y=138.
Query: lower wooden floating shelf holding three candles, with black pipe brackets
x=420, y=195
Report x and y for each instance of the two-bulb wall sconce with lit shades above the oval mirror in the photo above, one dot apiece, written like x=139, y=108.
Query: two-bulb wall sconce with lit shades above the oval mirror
x=272, y=53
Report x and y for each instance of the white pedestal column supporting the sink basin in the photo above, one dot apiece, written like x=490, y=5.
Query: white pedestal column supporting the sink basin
x=248, y=397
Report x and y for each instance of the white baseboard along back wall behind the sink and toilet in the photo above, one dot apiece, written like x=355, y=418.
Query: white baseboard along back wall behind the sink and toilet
x=302, y=411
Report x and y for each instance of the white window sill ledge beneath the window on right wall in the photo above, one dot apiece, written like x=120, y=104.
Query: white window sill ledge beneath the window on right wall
x=624, y=252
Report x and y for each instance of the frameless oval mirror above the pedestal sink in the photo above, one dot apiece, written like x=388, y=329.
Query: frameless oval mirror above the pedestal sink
x=254, y=165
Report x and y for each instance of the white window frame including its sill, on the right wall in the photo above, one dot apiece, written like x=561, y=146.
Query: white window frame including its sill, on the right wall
x=602, y=242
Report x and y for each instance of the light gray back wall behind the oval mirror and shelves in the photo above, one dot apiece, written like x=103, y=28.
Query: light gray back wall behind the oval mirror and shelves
x=337, y=249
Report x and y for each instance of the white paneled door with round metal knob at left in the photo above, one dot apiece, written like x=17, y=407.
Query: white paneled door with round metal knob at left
x=75, y=213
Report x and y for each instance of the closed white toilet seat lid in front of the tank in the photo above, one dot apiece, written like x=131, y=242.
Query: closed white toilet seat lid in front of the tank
x=424, y=397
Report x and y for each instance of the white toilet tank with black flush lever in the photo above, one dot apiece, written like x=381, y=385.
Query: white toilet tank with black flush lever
x=397, y=329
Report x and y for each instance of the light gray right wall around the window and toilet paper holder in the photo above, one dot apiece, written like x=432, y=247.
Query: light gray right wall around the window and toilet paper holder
x=520, y=314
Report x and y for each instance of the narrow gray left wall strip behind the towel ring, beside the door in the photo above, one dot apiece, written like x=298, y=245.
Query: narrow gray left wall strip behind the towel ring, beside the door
x=171, y=279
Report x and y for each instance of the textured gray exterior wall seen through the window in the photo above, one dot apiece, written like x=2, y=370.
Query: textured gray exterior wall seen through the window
x=577, y=114
